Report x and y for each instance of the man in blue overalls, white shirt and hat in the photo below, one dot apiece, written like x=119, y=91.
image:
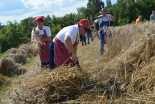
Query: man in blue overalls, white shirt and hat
x=104, y=20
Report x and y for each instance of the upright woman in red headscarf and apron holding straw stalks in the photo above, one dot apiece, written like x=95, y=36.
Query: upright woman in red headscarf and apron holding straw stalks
x=44, y=35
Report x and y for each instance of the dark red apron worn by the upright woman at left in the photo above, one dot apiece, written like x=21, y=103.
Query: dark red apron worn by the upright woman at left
x=44, y=50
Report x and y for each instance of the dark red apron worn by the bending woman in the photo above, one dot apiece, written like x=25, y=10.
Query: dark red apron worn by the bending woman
x=61, y=53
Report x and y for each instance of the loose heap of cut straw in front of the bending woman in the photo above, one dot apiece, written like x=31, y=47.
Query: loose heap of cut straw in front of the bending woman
x=57, y=86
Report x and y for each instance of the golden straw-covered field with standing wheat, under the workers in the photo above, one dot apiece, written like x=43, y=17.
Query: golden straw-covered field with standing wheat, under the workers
x=124, y=74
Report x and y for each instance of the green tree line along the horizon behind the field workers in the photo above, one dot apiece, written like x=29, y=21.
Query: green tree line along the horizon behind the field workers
x=125, y=11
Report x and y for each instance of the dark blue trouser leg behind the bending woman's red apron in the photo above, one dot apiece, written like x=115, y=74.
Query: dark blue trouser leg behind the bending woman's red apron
x=51, y=56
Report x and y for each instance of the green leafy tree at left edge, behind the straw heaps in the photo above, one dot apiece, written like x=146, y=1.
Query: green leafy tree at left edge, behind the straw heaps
x=12, y=36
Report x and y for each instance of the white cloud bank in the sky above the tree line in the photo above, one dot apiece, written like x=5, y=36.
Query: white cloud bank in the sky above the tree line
x=43, y=7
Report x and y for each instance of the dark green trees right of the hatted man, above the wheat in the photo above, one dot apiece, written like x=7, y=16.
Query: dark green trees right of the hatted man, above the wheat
x=130, y=9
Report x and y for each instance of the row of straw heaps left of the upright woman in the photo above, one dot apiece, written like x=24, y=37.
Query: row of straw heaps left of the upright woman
x=11, y=62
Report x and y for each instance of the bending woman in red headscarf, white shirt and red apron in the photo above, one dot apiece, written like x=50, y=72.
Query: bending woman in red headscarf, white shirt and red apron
x=63, y=49
